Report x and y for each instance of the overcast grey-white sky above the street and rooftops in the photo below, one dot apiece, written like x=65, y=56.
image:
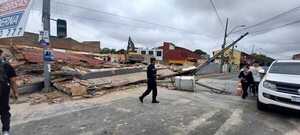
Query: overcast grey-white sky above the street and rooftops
x=193, y=23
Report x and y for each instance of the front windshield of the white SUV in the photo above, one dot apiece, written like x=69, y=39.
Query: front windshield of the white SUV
x=285, y=68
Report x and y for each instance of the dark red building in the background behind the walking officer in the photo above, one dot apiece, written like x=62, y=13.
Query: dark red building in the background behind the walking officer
x=178, y=55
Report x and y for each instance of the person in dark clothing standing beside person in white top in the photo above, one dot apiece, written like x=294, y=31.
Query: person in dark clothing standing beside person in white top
x=246, y=80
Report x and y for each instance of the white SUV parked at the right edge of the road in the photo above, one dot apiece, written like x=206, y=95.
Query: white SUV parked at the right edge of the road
x=281, y=85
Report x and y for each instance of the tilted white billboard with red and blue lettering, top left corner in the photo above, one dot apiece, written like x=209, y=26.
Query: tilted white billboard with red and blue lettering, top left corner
x=13, y=17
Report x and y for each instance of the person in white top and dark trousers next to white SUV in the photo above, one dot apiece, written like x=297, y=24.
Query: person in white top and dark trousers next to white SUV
x=255, y=70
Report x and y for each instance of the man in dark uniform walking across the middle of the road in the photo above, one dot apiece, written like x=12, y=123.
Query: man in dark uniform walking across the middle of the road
x=152, y=85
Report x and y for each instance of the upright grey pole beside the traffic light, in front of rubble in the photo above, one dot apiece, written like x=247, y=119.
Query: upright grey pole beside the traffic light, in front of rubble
x=46, y=25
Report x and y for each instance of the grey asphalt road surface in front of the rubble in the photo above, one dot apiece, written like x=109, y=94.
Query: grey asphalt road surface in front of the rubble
x=180, y=113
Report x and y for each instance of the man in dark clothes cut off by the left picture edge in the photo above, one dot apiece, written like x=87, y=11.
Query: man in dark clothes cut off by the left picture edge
x=7, y=81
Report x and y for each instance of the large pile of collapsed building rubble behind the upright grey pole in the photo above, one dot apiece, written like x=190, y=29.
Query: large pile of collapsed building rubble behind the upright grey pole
x=74, y=74
